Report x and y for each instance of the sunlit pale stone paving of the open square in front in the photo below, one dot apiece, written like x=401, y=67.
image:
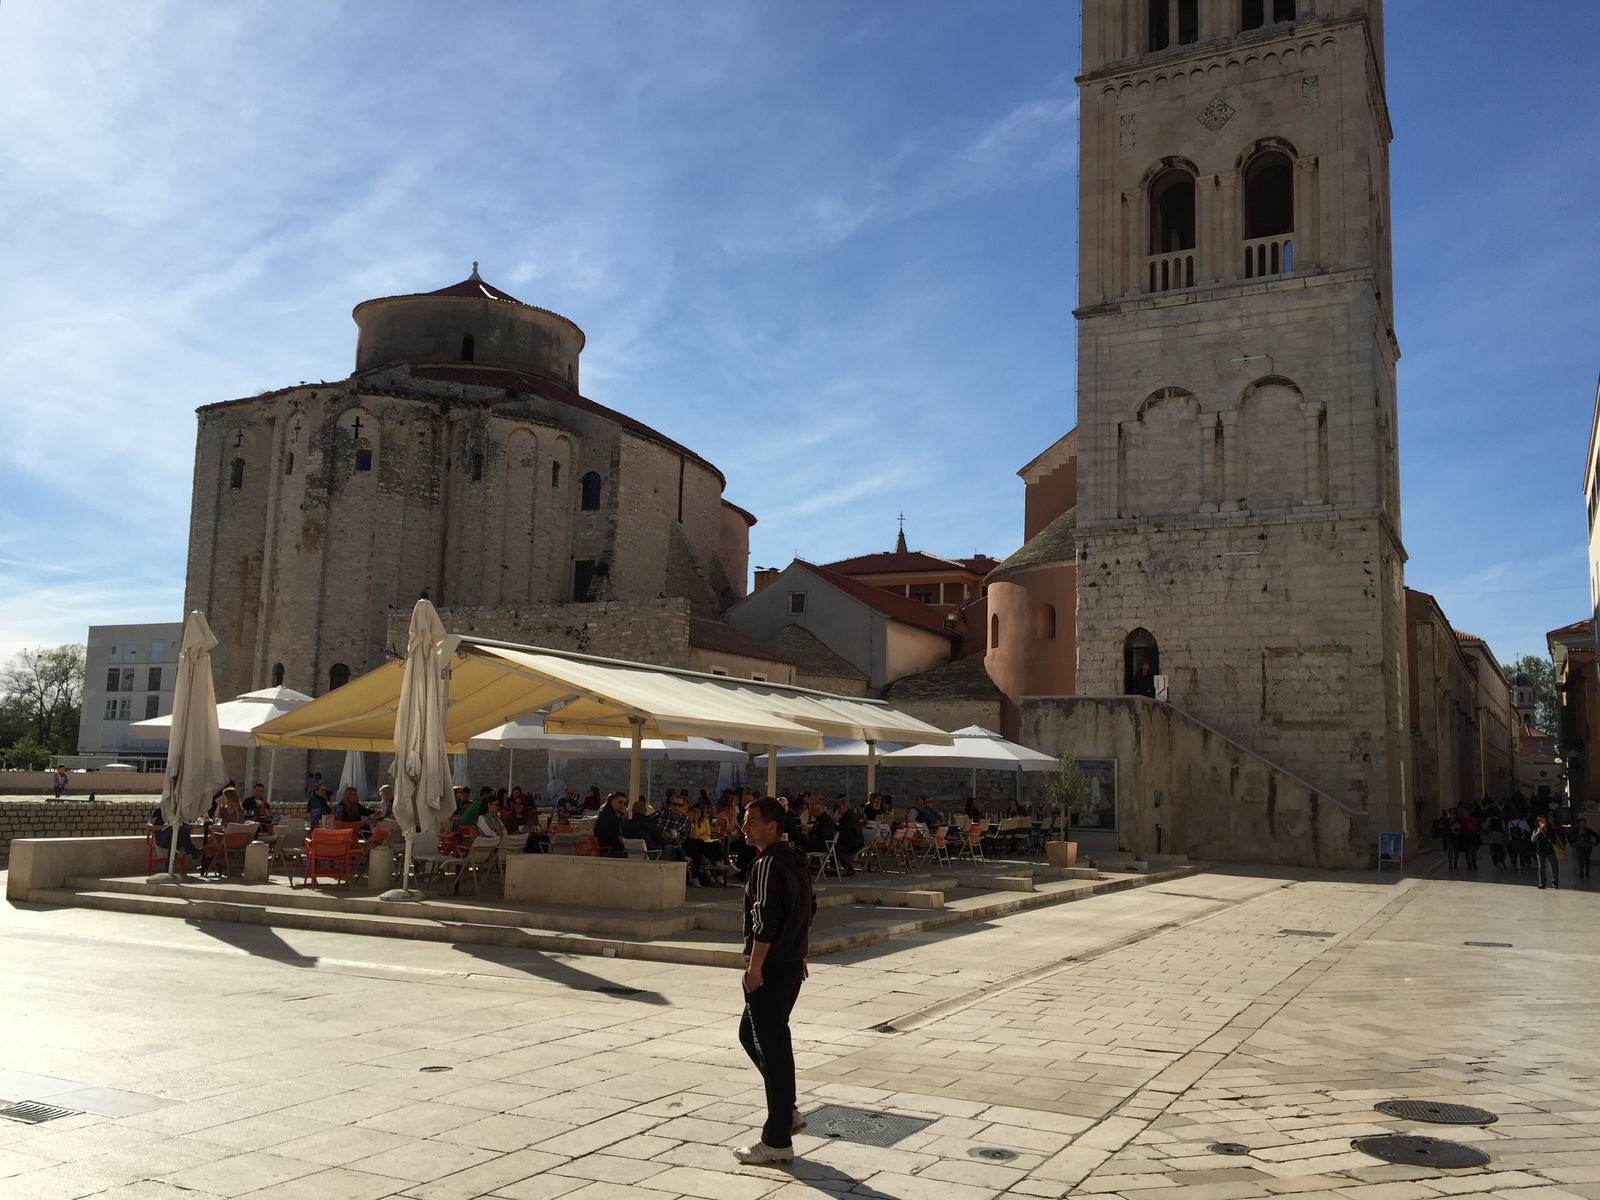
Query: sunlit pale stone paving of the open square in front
x=1106, y=1046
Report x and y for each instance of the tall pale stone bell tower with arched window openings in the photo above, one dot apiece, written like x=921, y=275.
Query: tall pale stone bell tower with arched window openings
x=1239, y=506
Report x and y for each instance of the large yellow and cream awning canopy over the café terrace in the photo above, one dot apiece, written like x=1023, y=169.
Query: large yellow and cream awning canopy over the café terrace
x=494, y=682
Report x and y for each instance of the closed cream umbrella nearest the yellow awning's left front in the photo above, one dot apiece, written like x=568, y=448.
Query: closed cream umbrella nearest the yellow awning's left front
x=422, y=756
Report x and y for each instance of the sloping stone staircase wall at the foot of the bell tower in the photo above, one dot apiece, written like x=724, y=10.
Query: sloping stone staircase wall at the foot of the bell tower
x=1186, y=790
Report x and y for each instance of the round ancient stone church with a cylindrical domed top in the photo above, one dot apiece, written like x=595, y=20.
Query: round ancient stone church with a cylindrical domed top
x=458, y=462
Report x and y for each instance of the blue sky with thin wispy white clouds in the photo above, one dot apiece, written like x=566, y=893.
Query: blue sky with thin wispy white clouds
x=830, y=246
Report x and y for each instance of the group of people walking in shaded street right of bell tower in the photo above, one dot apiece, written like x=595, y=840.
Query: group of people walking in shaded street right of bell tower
x=1519, y=839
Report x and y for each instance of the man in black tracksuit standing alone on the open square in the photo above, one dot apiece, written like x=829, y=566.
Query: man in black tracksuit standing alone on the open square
x=778, y=910
